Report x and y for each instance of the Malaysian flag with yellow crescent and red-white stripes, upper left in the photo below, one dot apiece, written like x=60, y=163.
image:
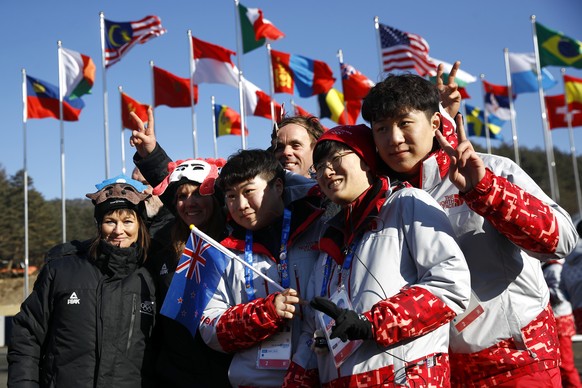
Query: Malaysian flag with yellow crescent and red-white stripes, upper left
x=119, y=37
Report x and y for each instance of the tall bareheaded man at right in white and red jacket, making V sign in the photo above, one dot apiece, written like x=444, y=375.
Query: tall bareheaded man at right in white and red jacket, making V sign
x=506, y=225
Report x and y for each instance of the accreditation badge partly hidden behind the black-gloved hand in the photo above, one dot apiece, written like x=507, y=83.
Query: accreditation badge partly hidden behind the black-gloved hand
x=339, y=349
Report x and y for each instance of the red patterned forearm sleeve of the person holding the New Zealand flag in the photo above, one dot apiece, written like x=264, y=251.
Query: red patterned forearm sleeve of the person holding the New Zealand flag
x=247, y=324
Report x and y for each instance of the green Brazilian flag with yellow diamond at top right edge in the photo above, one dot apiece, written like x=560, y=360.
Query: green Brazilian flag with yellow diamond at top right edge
x=557, y=49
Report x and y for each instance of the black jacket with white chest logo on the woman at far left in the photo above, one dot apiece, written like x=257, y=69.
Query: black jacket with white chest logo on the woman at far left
x=87, y=323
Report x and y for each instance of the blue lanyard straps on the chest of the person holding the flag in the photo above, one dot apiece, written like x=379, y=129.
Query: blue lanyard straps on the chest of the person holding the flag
x=283, y=261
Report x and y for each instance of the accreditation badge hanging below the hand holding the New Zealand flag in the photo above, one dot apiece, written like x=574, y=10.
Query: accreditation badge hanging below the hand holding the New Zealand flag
x=275, y=351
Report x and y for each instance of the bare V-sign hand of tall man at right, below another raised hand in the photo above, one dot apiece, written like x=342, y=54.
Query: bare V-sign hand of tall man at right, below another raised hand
x=466, y=168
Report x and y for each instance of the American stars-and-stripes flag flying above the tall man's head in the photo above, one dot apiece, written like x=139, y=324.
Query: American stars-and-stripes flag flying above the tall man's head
x=403, y=51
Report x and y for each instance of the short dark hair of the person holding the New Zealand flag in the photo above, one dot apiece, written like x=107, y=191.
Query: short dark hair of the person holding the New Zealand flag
x=247, y=164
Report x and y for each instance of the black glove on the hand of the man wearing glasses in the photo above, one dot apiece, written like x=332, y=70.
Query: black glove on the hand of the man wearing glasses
x=349, y=325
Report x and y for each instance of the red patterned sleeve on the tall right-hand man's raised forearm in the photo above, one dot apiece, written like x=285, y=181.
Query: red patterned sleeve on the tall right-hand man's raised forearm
x=522, y=218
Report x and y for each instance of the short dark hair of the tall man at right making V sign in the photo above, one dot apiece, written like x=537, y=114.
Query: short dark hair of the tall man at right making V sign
x=399, y=93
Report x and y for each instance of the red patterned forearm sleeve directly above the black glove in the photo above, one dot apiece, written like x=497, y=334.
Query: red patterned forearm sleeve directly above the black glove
x=413, y=312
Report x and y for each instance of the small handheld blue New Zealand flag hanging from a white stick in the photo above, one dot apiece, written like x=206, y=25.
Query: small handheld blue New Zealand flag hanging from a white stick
x=194, y=283
